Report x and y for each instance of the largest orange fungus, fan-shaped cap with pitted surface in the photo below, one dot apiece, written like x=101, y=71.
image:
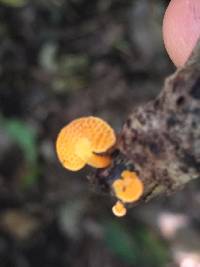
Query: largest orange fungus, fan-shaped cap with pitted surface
x=81, y=141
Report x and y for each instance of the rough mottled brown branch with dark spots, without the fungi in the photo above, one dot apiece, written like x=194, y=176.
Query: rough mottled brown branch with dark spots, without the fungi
x=161, y=140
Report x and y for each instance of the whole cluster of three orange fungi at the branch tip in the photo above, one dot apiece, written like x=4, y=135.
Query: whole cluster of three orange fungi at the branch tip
x=83, y=141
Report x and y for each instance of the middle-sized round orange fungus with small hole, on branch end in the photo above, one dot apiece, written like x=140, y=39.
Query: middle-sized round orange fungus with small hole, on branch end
x=129, y=187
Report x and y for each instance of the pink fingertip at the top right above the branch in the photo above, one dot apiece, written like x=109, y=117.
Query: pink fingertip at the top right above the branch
x=181, y=29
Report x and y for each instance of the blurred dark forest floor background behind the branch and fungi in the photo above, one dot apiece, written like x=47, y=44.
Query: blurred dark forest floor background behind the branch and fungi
x=61, y=59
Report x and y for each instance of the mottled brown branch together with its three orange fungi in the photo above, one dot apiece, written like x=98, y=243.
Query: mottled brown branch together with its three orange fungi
x=160, y=141
